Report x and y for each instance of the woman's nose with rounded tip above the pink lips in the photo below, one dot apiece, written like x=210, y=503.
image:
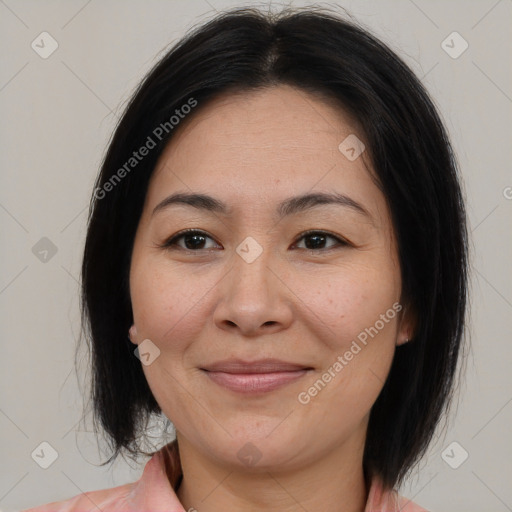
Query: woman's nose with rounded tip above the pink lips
x=254, y=298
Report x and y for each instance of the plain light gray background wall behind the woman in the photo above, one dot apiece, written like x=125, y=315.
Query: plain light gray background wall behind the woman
x=57, y=116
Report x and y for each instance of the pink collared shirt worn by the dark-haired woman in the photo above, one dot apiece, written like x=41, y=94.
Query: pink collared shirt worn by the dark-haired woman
x=155, y=492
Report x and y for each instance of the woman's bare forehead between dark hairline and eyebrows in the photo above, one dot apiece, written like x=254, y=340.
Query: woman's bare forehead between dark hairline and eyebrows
x=262, y=145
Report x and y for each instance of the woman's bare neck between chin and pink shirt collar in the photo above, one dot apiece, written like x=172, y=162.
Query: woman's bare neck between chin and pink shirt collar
x=333, y=483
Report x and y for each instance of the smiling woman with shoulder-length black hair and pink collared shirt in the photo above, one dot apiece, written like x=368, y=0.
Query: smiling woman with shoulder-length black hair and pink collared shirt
x=276, y=260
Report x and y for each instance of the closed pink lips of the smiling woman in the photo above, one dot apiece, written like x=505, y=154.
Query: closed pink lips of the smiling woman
x=254, y=377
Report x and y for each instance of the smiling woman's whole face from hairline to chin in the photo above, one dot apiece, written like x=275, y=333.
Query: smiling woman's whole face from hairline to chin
x=273, y=322
